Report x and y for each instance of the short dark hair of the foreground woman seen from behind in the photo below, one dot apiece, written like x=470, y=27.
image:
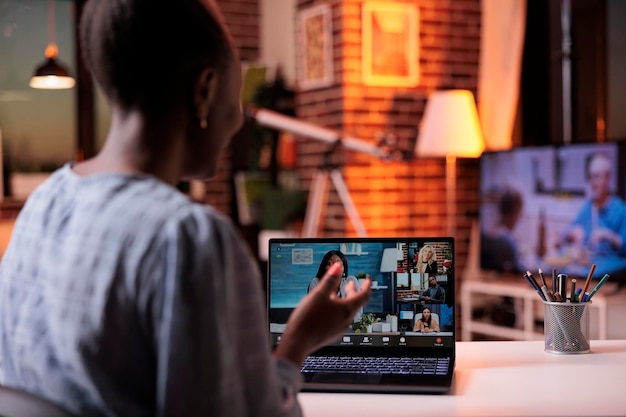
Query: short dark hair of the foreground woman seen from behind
x=143, y=52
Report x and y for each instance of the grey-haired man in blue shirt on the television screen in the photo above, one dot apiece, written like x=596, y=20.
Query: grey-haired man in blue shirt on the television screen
x=600, y=226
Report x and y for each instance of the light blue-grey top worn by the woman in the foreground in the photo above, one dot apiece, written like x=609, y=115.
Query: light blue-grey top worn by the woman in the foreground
x=119, y=296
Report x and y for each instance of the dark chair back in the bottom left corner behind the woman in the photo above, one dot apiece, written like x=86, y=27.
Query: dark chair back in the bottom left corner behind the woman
x=17, y=403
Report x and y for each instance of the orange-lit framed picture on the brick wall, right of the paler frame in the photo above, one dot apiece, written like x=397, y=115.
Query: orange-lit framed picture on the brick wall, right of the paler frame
x=390, y=48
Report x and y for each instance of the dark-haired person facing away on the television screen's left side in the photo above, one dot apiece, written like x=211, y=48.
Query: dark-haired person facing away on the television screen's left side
x=499, y=249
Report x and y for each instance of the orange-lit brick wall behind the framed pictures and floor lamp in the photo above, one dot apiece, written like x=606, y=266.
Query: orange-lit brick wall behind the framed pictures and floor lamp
x=395, y=198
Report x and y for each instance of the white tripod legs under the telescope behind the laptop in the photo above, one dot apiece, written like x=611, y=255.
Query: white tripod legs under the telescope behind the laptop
x=318, y=198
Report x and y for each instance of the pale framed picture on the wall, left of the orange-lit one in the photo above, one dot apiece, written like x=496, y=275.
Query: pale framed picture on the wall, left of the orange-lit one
x=315, y=63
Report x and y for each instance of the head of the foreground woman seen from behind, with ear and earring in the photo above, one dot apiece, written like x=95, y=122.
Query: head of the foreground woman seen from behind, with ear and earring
x=168, y=60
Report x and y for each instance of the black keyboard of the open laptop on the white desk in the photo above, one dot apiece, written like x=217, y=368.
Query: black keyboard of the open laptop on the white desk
x=376, y=365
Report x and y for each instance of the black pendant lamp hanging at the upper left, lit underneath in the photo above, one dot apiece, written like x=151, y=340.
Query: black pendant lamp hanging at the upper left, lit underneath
x=51, y=75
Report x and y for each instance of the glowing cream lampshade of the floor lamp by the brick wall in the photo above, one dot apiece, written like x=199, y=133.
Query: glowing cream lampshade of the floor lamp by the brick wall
x=450, y=126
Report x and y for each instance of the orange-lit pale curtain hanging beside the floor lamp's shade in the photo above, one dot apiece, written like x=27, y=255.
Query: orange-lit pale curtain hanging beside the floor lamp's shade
x=502, y=43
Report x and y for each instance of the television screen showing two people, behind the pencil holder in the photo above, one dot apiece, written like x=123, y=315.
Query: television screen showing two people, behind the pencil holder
x=556, y=208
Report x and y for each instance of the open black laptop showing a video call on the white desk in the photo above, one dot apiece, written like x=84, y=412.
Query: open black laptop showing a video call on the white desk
x=383, y=350
